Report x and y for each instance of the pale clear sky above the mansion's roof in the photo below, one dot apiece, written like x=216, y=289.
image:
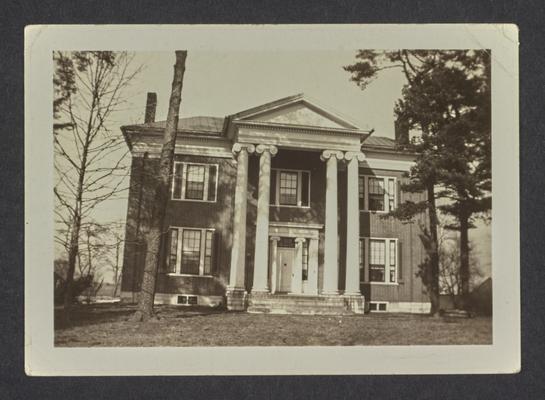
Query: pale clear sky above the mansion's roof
x=219, y=84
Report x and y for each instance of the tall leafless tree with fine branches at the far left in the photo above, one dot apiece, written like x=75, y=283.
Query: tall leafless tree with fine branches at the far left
x=89, y=88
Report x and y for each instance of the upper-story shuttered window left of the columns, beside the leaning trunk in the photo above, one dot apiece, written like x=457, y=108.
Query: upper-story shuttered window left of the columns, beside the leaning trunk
x=193, y=181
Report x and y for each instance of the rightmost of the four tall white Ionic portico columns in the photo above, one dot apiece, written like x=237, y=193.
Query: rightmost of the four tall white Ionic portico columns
x=352, y=285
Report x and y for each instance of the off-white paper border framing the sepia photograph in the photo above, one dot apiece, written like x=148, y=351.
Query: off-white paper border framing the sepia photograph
x=43, y=359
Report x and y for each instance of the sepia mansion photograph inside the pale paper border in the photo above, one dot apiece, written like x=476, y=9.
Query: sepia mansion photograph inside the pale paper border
x=336, y=197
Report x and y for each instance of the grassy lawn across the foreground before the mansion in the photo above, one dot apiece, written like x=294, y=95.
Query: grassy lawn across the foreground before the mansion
x=107, y=325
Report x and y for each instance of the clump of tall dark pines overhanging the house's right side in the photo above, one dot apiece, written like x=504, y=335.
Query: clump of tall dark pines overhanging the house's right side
x=447, y=98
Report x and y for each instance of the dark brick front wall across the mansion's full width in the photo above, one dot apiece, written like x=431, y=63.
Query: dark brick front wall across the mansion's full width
x=219, y=215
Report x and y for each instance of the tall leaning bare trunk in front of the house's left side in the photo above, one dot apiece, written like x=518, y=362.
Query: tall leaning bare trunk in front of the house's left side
x=161, y=192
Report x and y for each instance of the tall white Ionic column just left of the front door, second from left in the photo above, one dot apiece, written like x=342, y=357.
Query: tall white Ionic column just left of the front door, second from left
x=262, y=224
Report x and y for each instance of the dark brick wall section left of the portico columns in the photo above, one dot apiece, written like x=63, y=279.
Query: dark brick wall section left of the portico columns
x=217, y=215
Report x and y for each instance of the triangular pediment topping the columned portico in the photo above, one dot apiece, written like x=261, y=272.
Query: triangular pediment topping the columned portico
x=295, y=110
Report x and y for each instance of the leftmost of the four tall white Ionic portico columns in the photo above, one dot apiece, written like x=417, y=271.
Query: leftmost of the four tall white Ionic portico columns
x=236, y=290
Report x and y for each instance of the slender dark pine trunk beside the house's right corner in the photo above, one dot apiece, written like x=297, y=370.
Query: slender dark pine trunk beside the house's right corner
x=433, y=267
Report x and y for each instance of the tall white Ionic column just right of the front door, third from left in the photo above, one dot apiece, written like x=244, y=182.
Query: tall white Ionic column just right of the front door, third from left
x=331, y=250
